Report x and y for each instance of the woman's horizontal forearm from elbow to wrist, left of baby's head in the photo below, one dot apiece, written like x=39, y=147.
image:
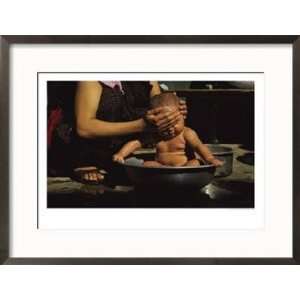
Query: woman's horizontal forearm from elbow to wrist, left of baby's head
x=97, y=128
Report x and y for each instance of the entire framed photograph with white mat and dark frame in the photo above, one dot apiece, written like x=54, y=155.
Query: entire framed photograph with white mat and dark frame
x=149, y=149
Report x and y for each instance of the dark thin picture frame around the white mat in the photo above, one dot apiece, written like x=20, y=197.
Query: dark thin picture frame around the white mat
x=7, y=41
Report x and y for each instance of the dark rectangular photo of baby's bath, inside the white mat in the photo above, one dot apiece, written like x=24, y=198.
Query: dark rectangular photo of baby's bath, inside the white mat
x=150, y=144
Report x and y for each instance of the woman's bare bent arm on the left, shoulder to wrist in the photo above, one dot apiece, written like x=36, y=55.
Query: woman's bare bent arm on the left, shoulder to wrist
x=88, y=96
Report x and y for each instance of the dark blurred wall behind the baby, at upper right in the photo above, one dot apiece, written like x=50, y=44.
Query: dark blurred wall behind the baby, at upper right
x=220, y=111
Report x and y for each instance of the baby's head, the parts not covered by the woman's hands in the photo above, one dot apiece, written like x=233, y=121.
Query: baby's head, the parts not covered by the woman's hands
x=170, y=100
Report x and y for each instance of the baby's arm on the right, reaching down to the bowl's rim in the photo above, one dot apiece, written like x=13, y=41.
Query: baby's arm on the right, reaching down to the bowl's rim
x=194, y=141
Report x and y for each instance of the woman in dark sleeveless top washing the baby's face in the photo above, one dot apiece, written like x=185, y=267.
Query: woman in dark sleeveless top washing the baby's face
x=107, y=115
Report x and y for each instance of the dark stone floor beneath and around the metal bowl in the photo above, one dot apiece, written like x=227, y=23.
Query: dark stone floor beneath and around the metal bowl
x=235, y=190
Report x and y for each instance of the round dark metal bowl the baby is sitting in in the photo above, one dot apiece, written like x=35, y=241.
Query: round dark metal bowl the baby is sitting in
x=168, y=177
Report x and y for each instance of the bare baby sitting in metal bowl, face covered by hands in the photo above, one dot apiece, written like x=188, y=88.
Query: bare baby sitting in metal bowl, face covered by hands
x=171, y=152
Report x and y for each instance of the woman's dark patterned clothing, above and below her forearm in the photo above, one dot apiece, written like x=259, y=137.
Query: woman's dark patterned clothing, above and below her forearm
x=115, y=106
